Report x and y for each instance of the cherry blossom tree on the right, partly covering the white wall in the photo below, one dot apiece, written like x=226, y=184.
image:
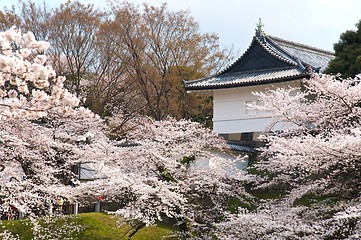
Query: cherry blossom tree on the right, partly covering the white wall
x=314, y=163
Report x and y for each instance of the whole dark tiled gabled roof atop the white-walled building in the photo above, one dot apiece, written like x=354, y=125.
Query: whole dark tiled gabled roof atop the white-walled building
x=298, y=58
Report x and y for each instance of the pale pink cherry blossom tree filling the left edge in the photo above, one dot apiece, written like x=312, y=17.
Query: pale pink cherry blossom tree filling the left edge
x=40, y=121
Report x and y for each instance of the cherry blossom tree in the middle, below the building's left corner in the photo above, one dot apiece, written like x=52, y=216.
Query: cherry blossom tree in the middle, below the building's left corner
x=156, y=174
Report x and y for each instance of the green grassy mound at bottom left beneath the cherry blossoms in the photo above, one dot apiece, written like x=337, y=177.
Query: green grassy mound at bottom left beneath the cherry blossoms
x=93, y=226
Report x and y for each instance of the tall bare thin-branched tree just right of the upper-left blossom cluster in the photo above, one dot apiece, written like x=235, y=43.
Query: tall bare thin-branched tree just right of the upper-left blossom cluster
x=73, y=29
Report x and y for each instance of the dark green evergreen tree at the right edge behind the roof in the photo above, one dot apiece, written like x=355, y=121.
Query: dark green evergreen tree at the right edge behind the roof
x=347, y=59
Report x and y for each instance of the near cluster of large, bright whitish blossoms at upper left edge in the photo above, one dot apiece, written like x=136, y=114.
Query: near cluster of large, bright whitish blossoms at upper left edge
x=29, y=87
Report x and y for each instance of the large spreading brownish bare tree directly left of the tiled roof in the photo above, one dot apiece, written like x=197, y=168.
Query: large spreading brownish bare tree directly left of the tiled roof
x=159, y=47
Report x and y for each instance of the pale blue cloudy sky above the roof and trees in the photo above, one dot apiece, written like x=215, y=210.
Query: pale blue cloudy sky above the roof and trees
x=318, y=23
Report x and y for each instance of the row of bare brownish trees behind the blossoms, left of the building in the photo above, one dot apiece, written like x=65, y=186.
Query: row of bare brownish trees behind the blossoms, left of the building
x=129, y=59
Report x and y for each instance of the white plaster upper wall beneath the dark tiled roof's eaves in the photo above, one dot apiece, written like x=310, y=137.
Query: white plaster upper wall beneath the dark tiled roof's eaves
x=230, y=114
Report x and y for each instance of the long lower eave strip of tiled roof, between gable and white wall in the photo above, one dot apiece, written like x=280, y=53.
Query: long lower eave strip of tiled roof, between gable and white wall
x=245, y=78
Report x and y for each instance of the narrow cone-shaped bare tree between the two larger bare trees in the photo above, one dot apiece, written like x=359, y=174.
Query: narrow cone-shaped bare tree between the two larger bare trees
x=107, y=90
